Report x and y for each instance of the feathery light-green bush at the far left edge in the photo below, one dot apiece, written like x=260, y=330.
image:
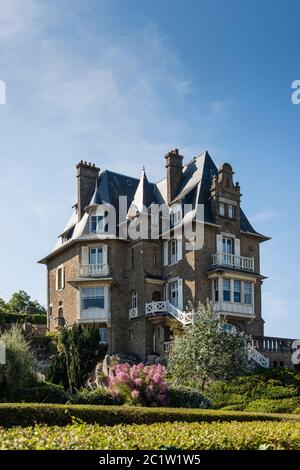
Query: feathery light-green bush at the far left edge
x=18, y=371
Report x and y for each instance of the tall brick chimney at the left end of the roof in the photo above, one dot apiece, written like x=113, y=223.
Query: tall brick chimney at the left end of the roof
x=87, y=174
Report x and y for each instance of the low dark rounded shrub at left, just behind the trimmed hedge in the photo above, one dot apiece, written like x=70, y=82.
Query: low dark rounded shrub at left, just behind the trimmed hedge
x=44, y=392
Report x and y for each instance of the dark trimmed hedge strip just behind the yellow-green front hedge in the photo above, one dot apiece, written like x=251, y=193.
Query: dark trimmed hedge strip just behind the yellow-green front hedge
x=28, y=414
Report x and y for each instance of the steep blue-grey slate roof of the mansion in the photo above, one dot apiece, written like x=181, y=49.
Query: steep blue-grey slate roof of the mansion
x=195, y=188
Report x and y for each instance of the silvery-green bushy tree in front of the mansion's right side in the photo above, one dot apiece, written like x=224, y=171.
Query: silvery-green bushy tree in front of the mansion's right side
x=206, y=350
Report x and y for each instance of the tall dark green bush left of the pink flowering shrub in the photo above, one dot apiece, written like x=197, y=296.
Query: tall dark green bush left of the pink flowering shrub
x=78, y=352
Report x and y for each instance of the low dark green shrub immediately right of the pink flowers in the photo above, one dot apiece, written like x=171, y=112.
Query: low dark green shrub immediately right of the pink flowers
x=186, y=397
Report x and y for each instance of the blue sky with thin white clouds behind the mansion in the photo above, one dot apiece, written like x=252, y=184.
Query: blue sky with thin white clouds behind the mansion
x=120, y=83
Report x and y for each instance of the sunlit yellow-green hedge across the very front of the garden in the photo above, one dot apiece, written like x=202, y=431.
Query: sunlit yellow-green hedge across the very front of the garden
x=197, y=436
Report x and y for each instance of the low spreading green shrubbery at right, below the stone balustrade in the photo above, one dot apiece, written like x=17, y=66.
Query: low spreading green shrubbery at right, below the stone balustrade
x=265, y=384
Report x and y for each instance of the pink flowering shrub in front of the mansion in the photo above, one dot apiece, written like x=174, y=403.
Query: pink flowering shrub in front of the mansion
x=139, y=384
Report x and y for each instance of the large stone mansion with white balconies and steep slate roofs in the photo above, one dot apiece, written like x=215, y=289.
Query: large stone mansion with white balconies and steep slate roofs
x=129, y=286
